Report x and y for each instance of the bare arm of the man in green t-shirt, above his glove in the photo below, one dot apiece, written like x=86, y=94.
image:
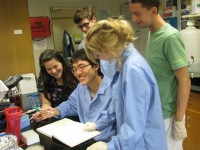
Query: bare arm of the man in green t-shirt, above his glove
x=182, y=76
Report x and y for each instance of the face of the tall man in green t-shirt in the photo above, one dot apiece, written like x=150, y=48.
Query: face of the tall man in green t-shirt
x=140, y=15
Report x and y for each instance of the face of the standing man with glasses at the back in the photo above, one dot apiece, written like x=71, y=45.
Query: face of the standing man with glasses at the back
x=86, y=24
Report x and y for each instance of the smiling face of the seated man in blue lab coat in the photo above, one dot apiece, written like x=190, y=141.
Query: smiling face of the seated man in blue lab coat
x=84, y=71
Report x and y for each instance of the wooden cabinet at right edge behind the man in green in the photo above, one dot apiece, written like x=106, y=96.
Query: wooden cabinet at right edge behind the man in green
x=192, y=142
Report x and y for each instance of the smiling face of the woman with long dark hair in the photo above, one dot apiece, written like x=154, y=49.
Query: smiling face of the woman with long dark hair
x=54, y=68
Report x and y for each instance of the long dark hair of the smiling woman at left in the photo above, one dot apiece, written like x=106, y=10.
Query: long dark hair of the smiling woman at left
x=69, y=81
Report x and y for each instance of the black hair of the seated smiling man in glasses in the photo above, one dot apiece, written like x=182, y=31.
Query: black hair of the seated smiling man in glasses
x=81, y=55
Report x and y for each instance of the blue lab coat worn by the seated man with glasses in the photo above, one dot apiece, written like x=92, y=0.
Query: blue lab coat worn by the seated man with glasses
x=79, y=103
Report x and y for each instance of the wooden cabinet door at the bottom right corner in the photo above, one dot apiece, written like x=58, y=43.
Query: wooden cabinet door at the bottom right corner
x=192, y=142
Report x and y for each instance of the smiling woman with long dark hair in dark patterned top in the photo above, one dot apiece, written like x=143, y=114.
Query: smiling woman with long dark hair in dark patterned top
x=56, y=81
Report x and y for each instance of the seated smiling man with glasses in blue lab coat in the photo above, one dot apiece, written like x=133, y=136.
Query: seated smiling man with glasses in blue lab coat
x=91, y=96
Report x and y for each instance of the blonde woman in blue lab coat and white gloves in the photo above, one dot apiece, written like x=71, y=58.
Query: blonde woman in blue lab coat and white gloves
x=136, y=106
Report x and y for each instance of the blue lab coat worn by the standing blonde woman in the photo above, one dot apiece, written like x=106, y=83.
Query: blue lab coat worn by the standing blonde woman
x=136, y=106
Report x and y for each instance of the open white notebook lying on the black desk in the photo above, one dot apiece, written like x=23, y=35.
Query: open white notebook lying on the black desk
x=68, y=132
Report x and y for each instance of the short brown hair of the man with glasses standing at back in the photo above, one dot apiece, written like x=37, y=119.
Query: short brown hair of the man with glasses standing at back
x=82, y=13
